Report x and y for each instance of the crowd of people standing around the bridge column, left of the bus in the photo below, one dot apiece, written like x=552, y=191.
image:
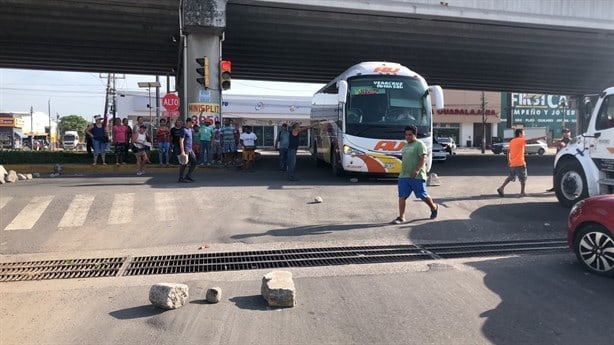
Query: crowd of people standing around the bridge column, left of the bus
x=207, y=144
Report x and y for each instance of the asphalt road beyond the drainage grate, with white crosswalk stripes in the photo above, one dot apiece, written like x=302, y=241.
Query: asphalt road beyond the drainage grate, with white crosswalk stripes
x=122, y=211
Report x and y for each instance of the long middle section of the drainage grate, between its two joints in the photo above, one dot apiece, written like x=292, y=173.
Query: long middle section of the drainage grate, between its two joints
x=307, y=257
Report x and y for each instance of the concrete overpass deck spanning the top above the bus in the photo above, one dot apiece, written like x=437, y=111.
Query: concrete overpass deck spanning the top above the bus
x=554, y=46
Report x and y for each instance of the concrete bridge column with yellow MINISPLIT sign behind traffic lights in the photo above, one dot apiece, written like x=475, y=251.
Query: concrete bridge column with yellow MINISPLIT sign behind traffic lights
x=202, y=26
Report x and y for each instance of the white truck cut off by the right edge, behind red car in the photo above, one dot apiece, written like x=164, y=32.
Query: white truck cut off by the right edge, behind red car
x=586, y=166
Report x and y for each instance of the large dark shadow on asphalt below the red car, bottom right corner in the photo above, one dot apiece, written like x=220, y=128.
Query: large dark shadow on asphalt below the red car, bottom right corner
x=546, y=302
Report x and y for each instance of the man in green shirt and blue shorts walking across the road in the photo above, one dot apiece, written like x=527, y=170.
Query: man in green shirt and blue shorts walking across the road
x=413, y=174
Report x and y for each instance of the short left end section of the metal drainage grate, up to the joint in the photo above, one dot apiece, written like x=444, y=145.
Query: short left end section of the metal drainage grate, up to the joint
x=60, y=269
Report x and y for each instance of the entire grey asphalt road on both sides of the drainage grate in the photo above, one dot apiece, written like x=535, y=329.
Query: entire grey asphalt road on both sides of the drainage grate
x=526, y=299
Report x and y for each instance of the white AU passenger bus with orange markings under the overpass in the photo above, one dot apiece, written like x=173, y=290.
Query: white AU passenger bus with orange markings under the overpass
x=358, y=118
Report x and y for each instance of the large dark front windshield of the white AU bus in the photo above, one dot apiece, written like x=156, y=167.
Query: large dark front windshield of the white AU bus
x=380, y=106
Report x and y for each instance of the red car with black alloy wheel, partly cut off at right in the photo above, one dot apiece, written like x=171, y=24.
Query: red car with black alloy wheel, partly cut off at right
x=590, y=233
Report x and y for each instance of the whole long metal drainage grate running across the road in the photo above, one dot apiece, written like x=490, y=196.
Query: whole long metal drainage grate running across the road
x=282, y=258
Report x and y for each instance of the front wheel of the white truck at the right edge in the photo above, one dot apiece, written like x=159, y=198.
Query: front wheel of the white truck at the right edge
x=570, y=183
